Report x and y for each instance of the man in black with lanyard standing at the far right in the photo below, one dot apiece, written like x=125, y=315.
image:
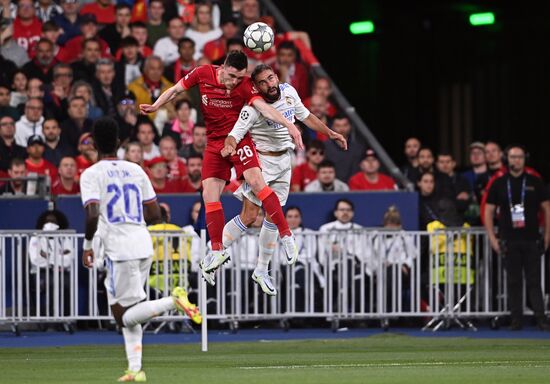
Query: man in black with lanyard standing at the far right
x=519, y=196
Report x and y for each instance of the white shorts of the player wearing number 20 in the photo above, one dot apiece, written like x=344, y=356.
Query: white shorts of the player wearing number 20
x=126, y=279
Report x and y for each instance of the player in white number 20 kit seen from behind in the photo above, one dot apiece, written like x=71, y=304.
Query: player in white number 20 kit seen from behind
x=119, y=199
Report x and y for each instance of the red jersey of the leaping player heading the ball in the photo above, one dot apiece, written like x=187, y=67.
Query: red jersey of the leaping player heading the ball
x=220, y=107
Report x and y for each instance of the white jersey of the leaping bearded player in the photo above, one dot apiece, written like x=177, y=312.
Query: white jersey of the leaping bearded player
x=266, y=134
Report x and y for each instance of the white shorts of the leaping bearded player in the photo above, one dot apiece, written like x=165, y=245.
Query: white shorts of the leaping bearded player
x=276, y=171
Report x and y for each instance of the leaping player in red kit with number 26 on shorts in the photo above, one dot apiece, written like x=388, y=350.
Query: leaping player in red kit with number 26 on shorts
x=224, y=91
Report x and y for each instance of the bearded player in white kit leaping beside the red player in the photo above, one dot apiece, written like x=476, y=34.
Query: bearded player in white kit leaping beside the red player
x=274, y=146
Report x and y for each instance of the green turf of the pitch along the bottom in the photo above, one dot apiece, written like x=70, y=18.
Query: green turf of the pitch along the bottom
x=385, y=358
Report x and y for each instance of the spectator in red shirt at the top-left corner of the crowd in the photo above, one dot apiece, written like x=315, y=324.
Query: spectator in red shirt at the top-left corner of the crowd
x=27, y=28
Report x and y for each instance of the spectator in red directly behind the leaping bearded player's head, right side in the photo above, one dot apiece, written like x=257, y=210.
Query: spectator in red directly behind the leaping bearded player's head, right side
x=290, y=71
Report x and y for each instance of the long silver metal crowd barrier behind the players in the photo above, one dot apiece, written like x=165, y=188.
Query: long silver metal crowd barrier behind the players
x=448, y=276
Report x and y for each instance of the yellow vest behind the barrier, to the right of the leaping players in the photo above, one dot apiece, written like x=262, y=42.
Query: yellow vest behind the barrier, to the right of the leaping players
x=459, y=248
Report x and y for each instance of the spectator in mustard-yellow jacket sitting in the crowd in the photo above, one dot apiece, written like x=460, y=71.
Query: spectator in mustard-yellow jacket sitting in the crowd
x=148, y=87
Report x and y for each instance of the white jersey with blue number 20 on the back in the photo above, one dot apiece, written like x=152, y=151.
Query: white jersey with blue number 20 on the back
x=120, y=188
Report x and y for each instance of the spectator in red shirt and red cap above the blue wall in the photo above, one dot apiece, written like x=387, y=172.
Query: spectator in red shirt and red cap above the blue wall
x=369, y=179
